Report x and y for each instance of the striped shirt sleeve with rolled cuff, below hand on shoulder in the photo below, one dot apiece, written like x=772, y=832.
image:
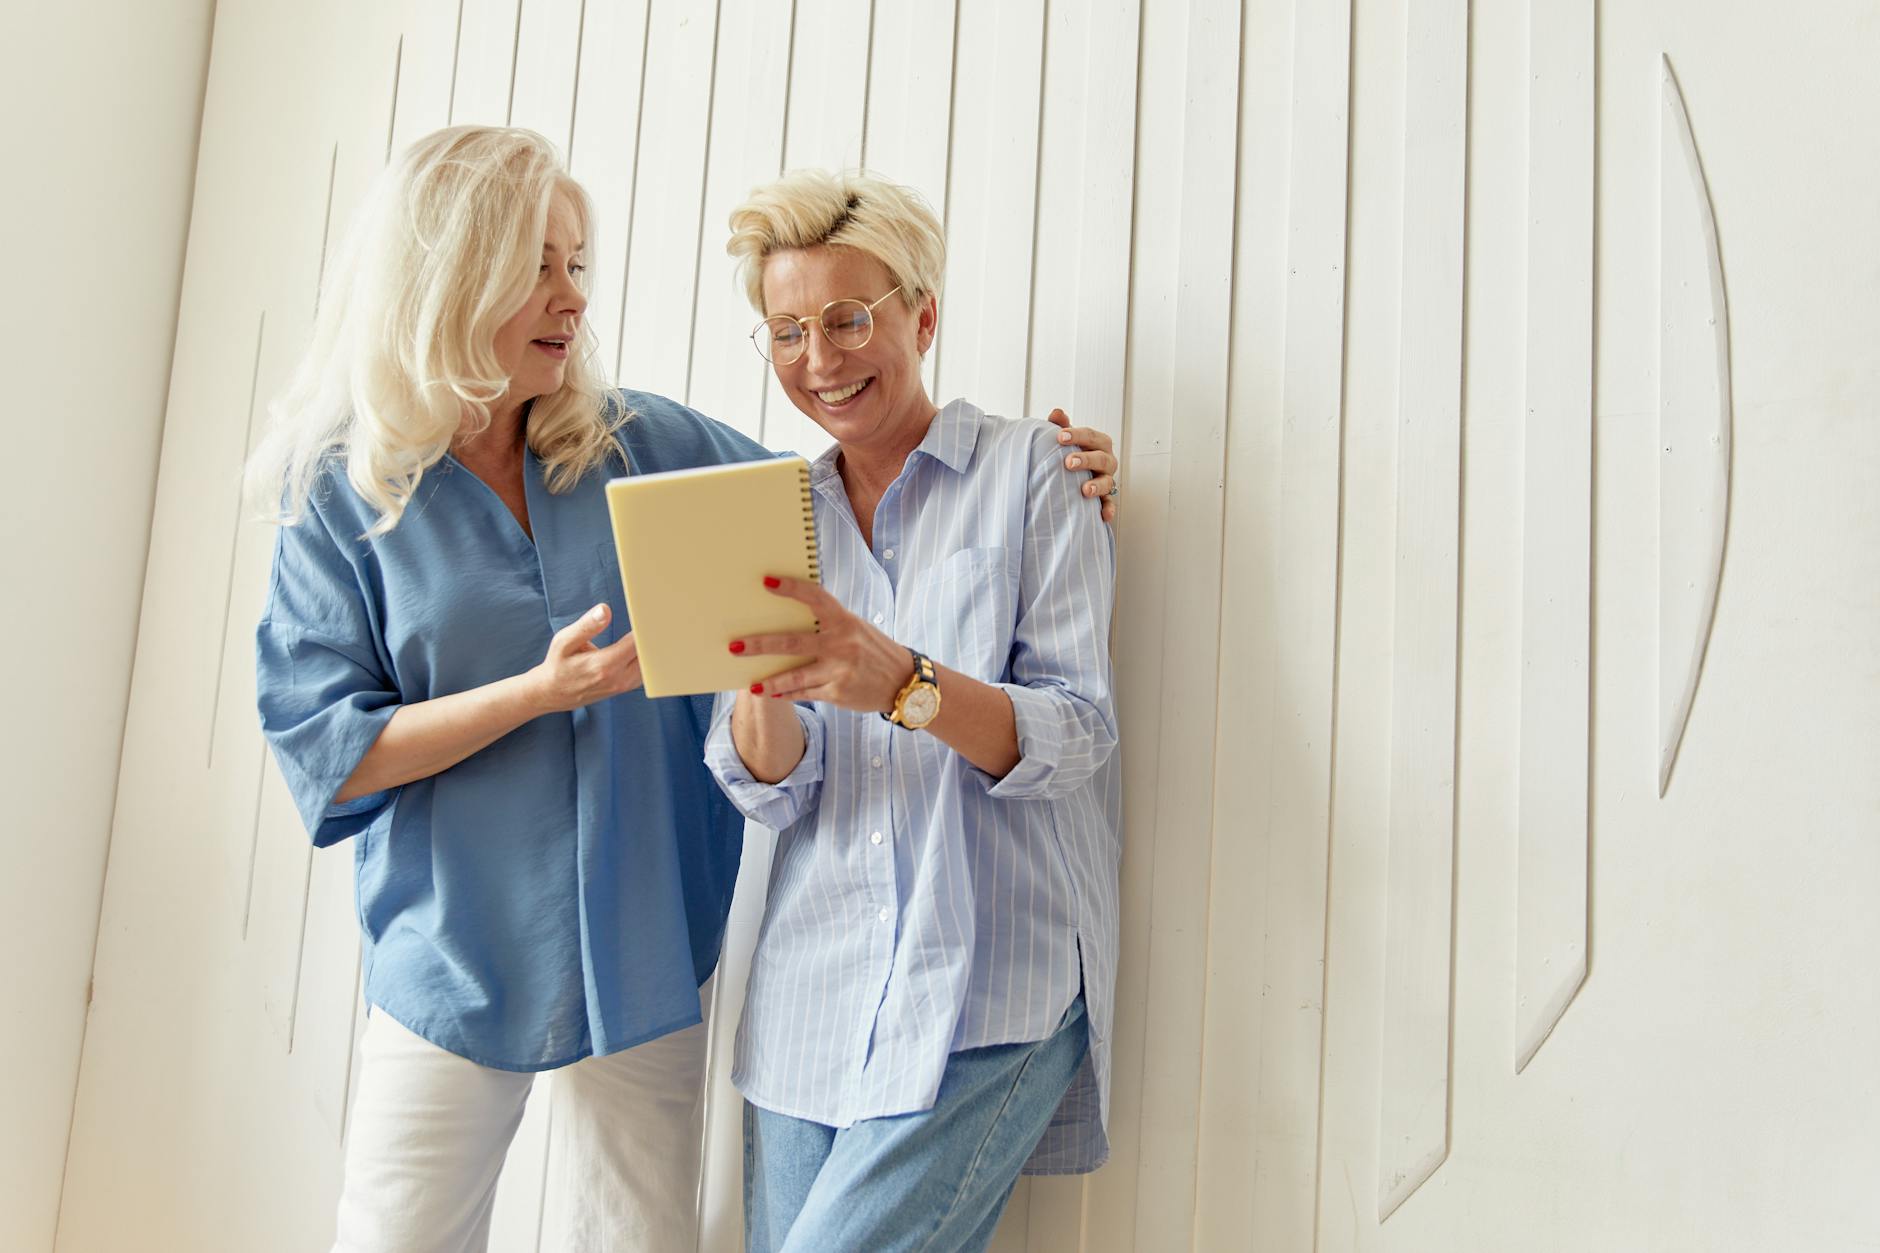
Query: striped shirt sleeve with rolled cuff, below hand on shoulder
x=1061, y=682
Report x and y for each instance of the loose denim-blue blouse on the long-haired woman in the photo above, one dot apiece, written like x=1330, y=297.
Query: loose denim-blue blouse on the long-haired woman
x=561, y=893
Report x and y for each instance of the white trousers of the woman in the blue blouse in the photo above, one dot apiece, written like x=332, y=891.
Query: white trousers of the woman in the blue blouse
x=430, y=1132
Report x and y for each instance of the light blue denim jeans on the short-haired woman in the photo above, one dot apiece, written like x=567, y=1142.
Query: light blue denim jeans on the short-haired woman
x=933, y=1182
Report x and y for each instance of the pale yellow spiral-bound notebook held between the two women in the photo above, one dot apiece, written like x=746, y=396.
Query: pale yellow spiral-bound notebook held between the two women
x=695, y=548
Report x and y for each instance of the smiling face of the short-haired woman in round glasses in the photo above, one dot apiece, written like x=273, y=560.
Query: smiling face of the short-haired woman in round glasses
x=869, y=400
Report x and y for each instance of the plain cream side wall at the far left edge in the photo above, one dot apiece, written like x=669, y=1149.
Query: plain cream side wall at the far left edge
x=104, y=103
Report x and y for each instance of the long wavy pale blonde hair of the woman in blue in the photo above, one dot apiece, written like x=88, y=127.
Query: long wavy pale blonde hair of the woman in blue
x=403, y=358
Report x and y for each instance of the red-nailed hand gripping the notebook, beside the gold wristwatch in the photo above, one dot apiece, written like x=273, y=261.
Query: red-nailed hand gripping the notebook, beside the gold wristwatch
x=853, y=665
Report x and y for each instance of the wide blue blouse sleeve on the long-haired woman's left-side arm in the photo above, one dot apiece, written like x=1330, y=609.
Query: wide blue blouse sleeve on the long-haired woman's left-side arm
x=322, y=682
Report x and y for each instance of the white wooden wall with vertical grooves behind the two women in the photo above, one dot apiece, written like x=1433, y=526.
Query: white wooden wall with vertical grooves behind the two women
x=1383, y=306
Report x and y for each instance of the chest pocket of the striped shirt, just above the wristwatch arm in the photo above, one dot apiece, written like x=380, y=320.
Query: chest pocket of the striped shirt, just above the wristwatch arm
x=963, y=612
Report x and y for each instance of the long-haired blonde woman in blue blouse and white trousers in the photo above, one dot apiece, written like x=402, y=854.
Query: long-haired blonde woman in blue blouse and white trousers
x=445, y=676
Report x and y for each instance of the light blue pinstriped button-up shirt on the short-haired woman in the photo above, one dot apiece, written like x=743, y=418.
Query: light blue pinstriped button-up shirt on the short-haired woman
x=916, y=904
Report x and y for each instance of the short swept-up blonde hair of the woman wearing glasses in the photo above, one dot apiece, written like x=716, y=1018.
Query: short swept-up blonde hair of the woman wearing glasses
x=851, y=210
